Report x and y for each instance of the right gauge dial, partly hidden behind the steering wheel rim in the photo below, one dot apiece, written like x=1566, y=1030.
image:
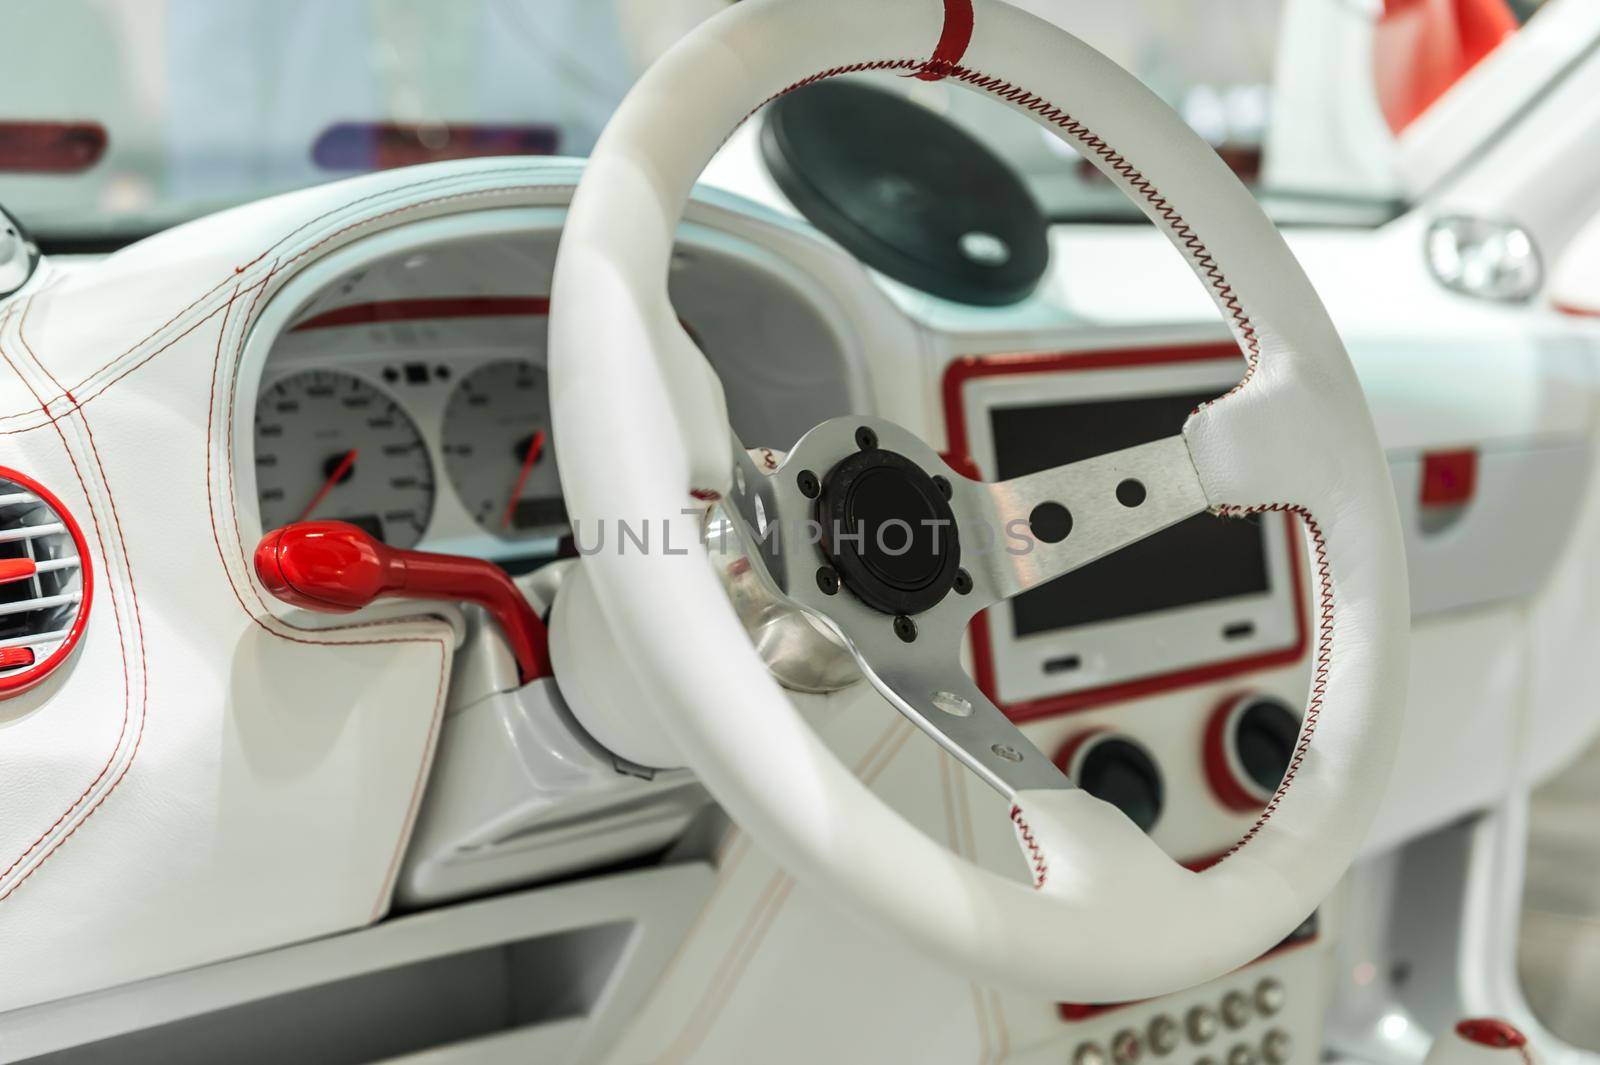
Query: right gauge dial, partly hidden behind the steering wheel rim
x=498, y=450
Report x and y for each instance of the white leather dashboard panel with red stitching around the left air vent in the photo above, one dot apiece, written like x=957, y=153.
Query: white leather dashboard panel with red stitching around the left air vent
x=206, y=778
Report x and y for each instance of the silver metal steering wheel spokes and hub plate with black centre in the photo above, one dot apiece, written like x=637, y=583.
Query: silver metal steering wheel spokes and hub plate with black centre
x=902, y=604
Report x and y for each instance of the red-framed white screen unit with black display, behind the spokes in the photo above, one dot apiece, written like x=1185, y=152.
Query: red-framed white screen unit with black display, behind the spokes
x=1206, y=599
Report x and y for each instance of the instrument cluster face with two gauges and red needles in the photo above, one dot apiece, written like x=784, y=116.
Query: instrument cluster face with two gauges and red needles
x=446, y=445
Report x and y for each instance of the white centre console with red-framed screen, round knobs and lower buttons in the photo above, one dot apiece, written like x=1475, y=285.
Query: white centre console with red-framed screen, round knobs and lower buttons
x=1167, y=679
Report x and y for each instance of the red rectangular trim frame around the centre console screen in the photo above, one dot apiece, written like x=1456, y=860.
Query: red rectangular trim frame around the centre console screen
x=974, y=367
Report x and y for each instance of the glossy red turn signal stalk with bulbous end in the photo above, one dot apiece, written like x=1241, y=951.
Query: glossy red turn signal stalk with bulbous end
x=337, y=568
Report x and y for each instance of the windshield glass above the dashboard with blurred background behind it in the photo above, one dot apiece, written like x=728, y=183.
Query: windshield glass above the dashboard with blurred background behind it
x=169, y=110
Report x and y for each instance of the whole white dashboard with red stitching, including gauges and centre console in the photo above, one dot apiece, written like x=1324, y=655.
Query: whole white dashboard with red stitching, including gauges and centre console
x=396, y=380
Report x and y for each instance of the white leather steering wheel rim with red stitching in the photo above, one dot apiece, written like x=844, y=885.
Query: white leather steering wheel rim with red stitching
x=646, y=437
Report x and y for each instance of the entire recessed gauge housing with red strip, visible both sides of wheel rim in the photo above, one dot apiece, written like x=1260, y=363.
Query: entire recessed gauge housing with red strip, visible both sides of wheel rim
x=410, y=396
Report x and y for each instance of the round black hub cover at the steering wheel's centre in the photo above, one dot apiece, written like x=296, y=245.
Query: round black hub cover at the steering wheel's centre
x=889, y=532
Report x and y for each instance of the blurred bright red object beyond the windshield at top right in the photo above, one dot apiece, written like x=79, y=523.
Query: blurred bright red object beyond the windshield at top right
x=1423, y=47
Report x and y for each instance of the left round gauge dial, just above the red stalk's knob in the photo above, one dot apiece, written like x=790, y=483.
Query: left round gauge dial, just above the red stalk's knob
x=332, y=447
